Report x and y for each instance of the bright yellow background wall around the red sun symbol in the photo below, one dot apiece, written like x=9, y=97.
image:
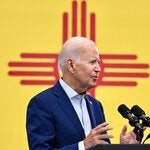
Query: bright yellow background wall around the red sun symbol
x=35, y=26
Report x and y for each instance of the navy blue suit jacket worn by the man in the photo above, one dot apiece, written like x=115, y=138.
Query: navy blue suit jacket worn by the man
x=52, y=122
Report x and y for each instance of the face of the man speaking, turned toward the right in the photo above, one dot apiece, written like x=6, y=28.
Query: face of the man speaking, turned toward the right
x=87, y=68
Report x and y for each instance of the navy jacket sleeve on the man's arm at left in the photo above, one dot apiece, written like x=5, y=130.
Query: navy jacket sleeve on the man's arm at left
x=41, y=128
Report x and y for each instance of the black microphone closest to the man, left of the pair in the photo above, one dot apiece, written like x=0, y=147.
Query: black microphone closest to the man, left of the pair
x=133, y=120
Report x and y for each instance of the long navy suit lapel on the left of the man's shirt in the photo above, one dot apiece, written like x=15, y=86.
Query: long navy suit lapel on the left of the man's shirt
x=66, y=105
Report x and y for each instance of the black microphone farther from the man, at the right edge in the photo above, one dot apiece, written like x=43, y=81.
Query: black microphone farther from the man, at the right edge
x=139, y=112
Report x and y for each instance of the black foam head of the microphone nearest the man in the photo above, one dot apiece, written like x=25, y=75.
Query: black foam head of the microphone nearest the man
x=124, y=110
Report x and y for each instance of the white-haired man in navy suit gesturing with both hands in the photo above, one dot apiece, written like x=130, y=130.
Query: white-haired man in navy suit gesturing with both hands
x=65, y=117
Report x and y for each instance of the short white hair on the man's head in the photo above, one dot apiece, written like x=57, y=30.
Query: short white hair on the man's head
x=71, y=49
